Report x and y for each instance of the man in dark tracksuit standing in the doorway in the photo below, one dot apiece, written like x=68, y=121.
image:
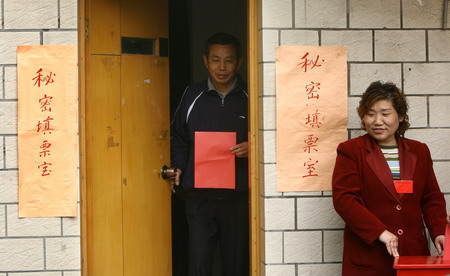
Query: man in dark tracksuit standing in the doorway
x=217, y=217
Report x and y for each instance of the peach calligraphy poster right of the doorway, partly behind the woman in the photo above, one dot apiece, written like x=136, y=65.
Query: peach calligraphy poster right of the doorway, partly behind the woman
x=311, y=99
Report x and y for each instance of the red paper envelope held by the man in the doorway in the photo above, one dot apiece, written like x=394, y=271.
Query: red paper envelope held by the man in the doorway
x=214, y=162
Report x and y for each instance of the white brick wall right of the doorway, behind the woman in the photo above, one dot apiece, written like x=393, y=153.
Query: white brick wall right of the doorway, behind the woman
x=388, y=40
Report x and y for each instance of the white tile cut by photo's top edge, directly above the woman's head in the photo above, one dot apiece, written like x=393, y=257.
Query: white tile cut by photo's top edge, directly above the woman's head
x=374, y=14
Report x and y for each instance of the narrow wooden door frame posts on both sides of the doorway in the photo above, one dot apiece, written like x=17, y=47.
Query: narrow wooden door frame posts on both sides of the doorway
x=253, y=54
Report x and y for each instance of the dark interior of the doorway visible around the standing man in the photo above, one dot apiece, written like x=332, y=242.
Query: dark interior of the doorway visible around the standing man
x=191, y=22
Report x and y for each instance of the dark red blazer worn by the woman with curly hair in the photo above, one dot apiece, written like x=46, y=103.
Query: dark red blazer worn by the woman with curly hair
x=365, y=197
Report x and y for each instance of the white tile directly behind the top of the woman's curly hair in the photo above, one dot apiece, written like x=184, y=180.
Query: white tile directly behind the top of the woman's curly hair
x=362, y=74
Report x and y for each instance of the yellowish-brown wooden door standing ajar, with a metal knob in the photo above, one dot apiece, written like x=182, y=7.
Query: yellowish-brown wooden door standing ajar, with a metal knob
x=126, y=139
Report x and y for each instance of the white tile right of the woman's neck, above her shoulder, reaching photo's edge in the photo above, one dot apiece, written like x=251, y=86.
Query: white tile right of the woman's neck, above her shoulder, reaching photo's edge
x=436, y=139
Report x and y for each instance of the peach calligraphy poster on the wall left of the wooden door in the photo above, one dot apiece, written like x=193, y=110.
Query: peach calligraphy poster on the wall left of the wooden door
x=47, y=130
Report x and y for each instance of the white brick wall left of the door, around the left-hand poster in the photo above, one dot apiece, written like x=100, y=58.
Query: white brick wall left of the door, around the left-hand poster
x=31, y=246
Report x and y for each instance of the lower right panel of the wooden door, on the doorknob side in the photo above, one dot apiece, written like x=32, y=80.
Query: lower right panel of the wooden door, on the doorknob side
x=145, y=137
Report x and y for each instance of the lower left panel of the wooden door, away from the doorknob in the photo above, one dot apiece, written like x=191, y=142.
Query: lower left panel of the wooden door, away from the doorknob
x=103, y=166
